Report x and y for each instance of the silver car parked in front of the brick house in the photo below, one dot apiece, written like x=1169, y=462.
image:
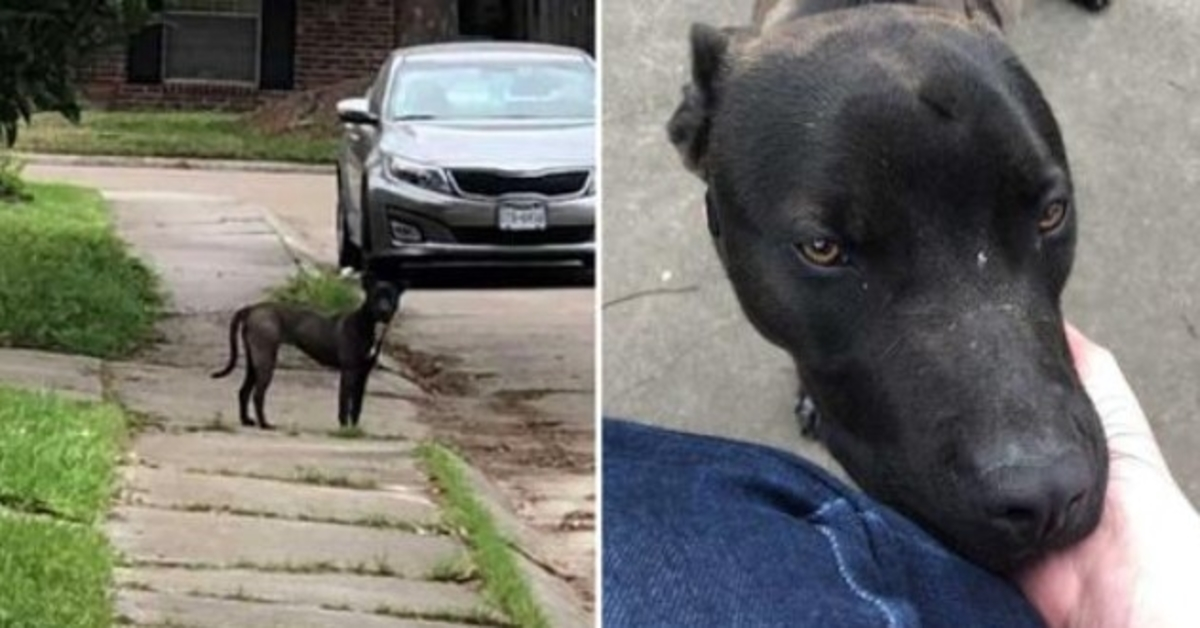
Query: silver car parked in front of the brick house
x=467, y=154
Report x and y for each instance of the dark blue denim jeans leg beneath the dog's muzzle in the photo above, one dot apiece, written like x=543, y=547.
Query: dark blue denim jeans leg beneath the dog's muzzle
x=701, y=533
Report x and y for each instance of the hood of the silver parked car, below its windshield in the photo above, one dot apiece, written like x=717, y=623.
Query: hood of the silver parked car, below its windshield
x=494, y=145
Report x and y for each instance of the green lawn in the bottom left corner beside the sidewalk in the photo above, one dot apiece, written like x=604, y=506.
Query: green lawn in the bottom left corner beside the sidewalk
x=58, y=465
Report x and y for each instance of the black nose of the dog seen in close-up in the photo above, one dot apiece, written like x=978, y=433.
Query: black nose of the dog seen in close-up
x=1036, y=504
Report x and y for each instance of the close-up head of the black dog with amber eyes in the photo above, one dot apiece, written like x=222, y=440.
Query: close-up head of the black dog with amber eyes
x=891, y=199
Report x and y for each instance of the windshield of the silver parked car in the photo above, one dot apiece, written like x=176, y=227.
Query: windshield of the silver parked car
x=512, y=87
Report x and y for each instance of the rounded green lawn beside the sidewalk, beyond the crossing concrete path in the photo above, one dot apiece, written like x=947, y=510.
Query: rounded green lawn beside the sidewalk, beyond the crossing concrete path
x=68, y=283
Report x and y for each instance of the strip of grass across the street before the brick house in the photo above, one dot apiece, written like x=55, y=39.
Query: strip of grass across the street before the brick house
x=207, y=135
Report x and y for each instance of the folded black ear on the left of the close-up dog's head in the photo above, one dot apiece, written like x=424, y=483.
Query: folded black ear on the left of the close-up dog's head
x=689, y=125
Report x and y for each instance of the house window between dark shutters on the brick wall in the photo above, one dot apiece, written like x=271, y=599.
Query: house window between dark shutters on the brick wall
x=212, y=40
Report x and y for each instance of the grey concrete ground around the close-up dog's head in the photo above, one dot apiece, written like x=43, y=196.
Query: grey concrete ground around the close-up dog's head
x=677, y=350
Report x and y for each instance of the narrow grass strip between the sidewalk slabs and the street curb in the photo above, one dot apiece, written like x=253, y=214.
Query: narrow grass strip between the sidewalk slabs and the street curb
x=505, y=587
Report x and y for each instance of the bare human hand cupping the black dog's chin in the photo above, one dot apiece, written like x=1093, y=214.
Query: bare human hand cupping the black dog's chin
x=1139, y=567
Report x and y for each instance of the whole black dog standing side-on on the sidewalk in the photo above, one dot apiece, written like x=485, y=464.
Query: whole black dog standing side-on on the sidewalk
x=350, y=343
